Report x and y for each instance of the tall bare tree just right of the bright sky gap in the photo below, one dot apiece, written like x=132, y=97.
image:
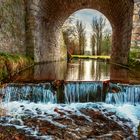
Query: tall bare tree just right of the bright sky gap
x=98, y=25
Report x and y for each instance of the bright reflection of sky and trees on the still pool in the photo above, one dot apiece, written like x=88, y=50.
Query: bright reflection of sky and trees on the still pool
x=87, y=70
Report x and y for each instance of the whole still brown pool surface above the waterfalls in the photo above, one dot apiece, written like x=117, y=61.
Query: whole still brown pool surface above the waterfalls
x=78, y=70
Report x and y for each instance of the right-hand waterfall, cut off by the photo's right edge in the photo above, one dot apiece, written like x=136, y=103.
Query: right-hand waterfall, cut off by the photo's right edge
x=127, y=94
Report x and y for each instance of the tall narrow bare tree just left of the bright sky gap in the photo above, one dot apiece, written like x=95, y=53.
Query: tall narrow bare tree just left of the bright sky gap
x=81, y=36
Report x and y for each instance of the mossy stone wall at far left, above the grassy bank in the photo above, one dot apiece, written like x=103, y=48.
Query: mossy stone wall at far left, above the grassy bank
x=12, y=26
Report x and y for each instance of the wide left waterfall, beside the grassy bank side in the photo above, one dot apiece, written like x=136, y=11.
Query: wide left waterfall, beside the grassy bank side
x=38, y=93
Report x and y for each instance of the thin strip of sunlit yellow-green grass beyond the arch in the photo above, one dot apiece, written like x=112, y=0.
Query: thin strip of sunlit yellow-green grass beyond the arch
x=91, y=56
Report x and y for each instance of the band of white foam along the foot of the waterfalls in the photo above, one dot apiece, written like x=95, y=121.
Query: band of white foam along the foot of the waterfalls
x=126, y=111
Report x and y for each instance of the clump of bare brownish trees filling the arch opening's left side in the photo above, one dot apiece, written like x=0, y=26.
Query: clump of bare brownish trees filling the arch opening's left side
x=74, y=36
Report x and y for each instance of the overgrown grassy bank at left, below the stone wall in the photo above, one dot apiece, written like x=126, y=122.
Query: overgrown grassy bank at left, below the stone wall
x=12, y=64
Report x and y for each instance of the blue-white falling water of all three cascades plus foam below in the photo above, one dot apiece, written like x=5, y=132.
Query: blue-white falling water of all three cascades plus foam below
x=39, y=100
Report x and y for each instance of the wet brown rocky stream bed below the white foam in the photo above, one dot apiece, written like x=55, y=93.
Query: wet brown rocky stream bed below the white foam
x=70, y=126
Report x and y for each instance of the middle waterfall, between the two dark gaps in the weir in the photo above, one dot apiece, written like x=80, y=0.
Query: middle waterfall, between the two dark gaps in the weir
x=83, y=92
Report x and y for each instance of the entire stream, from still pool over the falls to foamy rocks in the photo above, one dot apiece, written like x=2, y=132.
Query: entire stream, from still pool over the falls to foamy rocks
x=55, y=91
